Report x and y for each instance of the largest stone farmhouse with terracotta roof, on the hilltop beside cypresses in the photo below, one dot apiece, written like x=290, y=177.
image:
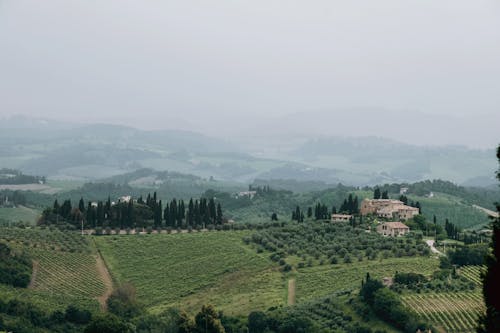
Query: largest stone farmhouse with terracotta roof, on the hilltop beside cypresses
x=388, y=208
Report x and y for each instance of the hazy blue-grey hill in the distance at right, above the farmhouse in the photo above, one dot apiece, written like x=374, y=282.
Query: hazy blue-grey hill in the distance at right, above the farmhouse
x=398, y=162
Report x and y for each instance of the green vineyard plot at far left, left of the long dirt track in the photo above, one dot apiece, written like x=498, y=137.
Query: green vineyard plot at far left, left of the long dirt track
x=64, y=268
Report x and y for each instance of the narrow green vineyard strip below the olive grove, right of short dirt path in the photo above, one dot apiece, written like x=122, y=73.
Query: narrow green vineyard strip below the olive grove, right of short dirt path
x=318, y=281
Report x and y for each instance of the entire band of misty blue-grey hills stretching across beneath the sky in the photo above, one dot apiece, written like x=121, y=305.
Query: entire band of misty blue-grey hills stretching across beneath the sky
x=96, y=151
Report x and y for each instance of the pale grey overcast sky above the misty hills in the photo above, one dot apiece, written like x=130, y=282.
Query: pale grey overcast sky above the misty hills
x=212, y=65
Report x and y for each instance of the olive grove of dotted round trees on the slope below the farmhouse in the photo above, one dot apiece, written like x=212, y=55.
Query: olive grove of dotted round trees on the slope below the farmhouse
x=327, y=242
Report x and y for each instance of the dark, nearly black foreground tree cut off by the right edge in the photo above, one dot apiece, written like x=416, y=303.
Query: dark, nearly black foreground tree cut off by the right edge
x=490, y=321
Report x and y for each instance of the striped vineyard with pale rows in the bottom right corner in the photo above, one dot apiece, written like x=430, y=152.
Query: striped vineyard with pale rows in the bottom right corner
x=450, y=312
